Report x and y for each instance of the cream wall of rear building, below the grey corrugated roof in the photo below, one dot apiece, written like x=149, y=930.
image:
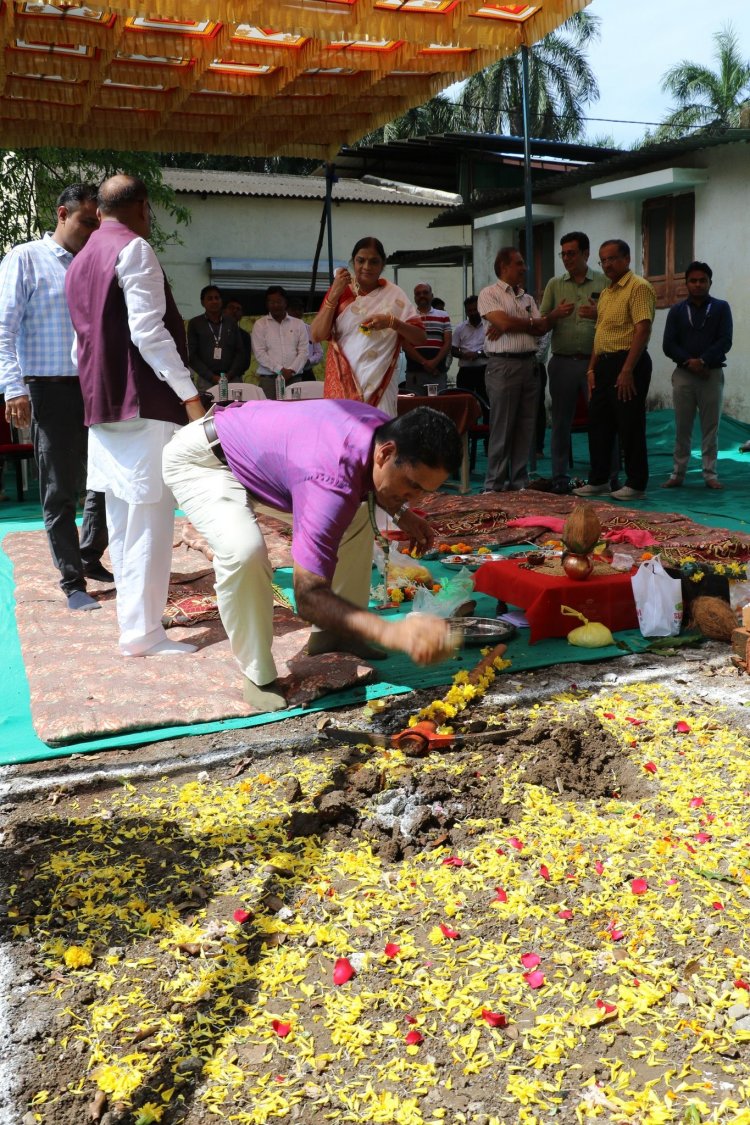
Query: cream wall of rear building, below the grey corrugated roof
x=237, y=227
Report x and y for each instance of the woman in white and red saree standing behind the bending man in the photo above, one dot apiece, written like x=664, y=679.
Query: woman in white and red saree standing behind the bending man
x=366, y=318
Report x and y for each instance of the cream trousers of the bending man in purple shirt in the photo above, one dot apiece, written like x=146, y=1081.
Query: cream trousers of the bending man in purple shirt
x=223, y=511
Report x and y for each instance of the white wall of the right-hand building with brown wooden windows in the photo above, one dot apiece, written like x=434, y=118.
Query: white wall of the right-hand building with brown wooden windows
x=721, y=240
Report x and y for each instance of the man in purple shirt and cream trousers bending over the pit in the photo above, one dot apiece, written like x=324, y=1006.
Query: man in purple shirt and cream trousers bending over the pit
x=328, y=464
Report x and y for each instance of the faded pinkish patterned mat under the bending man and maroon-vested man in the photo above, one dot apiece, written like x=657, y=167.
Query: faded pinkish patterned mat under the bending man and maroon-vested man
x=82, y=688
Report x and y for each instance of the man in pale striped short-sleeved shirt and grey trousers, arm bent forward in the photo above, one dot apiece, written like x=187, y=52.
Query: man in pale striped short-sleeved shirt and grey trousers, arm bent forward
x=512, y=339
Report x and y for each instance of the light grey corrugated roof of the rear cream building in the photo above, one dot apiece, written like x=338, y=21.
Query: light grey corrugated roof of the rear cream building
x=263, y=185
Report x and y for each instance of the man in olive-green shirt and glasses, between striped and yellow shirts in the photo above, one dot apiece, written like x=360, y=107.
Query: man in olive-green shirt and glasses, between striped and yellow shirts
x=573, y=339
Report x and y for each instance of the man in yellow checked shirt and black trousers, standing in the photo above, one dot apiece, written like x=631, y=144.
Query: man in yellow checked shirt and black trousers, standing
x=619, y=376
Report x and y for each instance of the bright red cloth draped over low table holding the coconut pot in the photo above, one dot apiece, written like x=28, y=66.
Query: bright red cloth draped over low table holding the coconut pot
x=607, y=598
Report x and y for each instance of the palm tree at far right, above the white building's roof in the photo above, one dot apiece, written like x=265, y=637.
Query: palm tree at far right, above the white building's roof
x=708, y=100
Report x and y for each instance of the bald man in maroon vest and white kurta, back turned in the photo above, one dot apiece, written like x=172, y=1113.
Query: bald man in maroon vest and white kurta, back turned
x=137, y=392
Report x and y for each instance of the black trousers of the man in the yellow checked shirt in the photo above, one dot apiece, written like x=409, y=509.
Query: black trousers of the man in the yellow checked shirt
x=610, y=418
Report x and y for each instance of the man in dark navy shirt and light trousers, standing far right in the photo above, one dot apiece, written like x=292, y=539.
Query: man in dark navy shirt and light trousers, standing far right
x=698, y=337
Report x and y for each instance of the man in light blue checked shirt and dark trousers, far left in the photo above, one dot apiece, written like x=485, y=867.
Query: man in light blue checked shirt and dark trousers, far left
x=41, y=388
